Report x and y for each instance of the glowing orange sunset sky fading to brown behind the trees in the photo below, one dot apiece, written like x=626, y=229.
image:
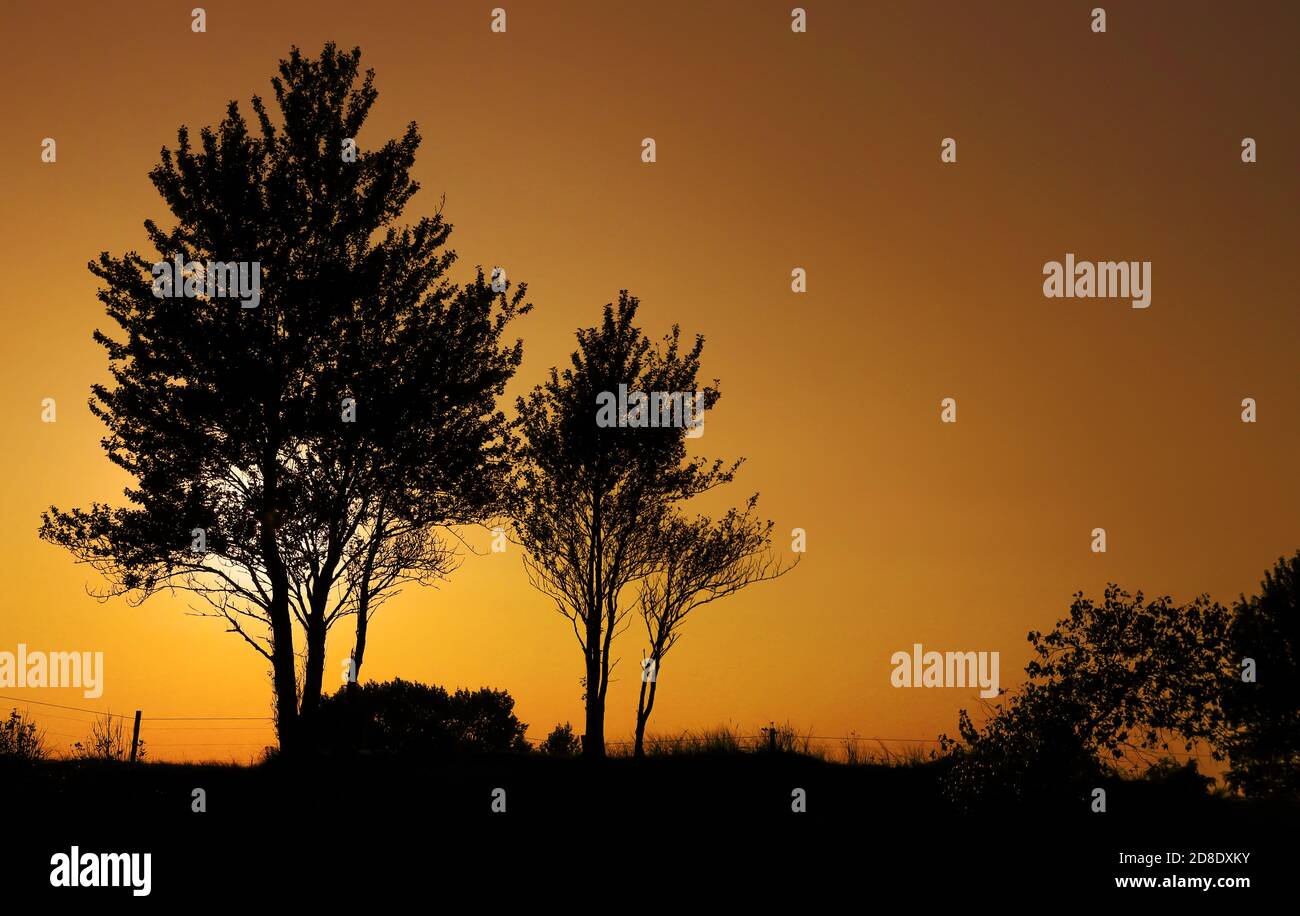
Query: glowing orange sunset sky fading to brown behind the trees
x=774, y=151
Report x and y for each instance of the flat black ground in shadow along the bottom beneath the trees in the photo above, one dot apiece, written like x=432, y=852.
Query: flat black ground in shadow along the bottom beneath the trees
x=716, y=819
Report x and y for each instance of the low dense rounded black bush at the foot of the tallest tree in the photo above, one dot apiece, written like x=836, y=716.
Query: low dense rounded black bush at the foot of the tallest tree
x=409, y=718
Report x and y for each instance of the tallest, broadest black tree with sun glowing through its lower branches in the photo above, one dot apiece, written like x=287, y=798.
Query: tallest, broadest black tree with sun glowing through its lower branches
x=233, y=422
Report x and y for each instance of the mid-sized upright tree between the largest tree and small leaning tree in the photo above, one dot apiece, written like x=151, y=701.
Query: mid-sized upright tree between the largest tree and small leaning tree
x=588, y=500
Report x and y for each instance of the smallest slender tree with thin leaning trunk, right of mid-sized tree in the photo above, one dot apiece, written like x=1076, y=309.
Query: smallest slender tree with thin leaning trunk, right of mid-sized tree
x=696, y=562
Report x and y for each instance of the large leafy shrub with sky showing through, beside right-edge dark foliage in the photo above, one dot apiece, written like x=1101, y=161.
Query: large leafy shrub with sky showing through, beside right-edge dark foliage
x=1117, y=676
